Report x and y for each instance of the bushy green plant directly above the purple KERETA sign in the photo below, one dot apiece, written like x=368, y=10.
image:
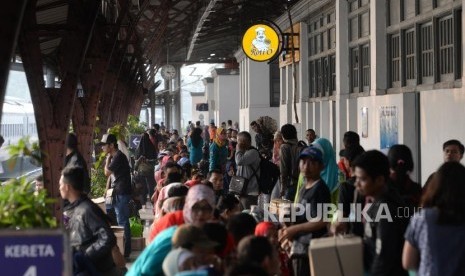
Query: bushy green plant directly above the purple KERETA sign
x=21, y=208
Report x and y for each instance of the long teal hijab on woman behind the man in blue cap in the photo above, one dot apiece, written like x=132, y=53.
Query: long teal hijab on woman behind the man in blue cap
x=331, y=171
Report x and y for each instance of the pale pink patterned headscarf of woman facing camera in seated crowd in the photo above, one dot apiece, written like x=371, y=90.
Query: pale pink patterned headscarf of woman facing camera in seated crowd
x=195, y=194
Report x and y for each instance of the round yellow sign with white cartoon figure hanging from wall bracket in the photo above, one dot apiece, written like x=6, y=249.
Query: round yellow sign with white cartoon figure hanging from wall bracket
x=260, y=42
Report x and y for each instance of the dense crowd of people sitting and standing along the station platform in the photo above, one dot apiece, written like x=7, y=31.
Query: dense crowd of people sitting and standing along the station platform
x=204, y=226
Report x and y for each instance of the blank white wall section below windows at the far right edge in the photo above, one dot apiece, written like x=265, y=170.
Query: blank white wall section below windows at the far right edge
x=441, y=114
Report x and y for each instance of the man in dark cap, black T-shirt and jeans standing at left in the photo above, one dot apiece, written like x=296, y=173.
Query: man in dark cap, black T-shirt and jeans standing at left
x=117, y=166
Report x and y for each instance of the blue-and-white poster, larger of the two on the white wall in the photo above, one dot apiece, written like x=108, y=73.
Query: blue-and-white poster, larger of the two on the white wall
x=389, y=129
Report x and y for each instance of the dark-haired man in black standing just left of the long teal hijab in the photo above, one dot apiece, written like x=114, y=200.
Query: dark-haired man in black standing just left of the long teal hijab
x=289, y=161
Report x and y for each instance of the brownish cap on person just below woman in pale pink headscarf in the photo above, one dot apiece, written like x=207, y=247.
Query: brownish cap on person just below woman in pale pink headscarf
x=187, y=236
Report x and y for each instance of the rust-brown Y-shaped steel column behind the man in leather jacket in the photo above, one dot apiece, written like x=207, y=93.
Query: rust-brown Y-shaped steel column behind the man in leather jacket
x=54, y=106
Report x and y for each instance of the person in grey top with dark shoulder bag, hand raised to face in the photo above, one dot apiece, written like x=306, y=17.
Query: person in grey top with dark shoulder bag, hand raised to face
x=248, y=167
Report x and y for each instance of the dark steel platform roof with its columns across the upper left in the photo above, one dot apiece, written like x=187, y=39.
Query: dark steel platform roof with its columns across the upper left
x=112, y=49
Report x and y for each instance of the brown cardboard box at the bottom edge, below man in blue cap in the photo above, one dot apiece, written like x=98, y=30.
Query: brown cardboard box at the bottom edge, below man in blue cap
x=336, y=256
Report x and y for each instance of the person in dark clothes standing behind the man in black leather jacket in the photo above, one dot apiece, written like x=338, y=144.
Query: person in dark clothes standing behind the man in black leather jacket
x=74, y=159
